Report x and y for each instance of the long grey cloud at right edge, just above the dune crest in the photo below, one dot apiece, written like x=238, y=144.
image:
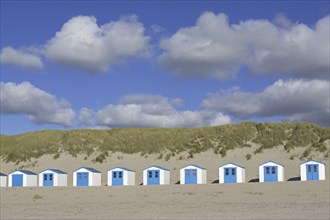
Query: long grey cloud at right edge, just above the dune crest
x=294, y=100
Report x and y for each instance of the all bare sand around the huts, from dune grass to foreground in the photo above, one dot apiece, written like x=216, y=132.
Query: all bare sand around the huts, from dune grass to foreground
x=285, y=200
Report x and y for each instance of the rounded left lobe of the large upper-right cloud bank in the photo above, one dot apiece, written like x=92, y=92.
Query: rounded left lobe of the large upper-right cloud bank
x=210, y=48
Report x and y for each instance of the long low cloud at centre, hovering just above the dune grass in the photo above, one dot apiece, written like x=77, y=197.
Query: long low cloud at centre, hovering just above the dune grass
x=140, y=110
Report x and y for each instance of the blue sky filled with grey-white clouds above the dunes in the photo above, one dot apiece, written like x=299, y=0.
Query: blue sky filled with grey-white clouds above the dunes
x=106, y=64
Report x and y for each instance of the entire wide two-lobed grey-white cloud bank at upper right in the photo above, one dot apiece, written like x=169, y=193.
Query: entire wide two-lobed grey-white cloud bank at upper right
x=214, y=47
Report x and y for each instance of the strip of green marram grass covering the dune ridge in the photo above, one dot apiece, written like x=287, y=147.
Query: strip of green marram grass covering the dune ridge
x=165, y=142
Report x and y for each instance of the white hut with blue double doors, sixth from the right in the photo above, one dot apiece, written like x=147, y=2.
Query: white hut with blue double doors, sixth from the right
x=120, y=176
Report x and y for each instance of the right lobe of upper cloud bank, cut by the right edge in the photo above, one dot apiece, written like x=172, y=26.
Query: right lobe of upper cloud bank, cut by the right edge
x=298, y=51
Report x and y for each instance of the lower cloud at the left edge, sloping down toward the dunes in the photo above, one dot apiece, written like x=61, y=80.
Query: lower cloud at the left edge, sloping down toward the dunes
x=40, y=106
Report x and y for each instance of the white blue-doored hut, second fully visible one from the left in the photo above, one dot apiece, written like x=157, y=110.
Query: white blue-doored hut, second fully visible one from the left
x=53, y=177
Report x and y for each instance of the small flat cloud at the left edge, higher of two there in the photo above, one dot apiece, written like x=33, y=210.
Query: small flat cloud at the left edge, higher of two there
x=22, y=58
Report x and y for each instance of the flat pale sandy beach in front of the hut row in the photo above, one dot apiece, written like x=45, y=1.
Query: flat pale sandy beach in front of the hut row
x=289, y=200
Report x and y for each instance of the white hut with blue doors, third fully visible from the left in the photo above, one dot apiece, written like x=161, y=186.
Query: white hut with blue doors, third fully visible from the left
x=86, y=176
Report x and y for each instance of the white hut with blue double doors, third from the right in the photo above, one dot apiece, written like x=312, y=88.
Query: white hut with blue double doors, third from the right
x=231, y=173
